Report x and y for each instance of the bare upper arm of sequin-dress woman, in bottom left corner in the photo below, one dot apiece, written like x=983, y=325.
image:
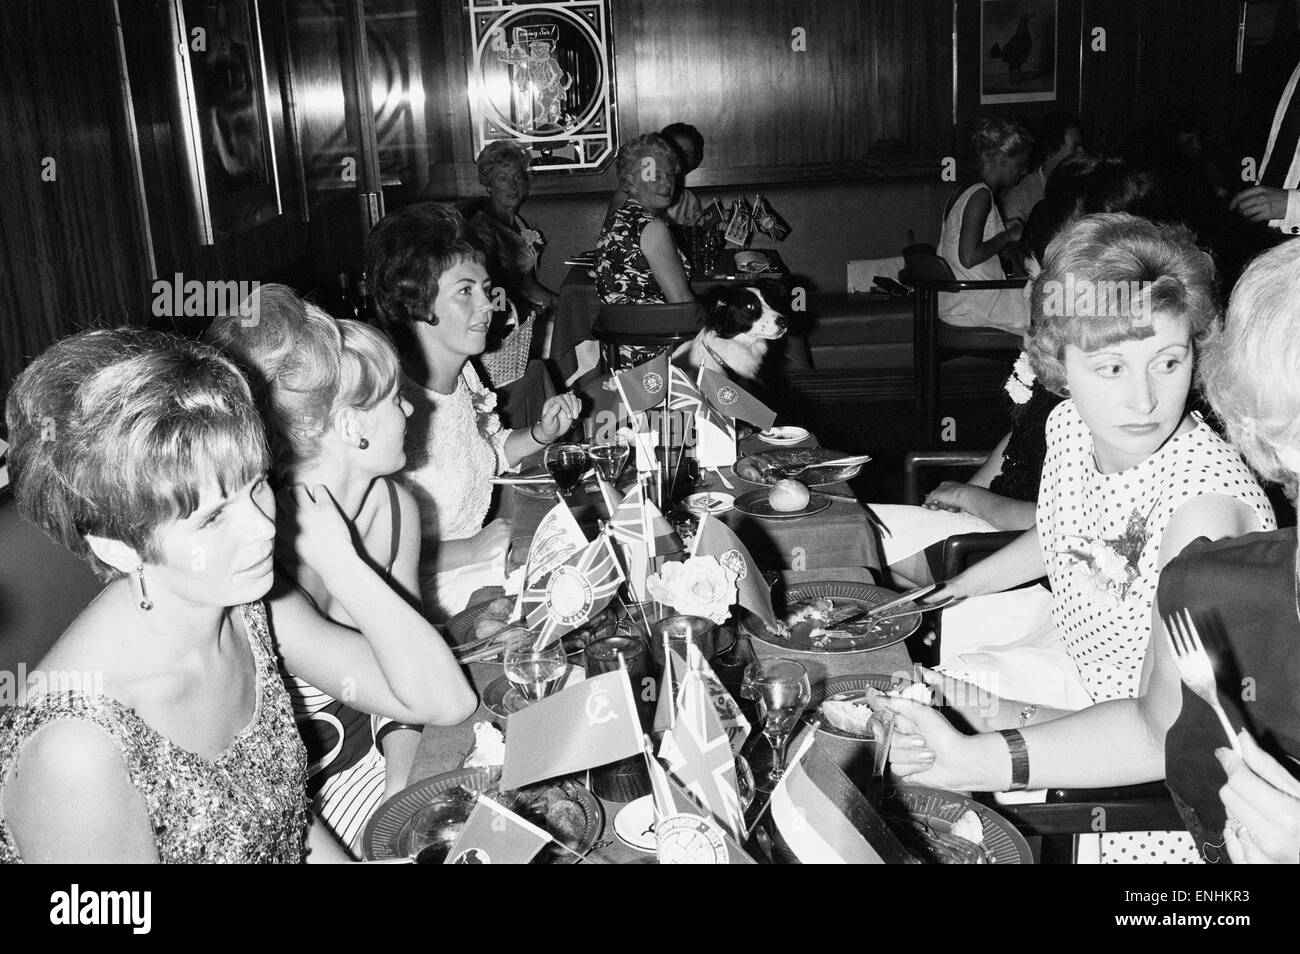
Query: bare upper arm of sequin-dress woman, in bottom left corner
x=70, y=801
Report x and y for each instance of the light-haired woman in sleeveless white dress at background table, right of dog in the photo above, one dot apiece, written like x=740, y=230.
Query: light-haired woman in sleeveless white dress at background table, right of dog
x=974, y=233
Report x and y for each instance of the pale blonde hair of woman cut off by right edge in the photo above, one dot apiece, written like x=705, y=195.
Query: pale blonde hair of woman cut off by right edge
x=1251, y=368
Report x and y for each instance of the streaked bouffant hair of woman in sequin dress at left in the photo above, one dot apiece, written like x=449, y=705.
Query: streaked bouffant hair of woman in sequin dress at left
x=119, y=433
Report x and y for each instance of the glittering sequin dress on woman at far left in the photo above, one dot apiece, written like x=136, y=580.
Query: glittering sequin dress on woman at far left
x=246, y=806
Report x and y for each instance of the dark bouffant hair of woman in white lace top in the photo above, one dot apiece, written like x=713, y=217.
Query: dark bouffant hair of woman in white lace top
x=406, y=257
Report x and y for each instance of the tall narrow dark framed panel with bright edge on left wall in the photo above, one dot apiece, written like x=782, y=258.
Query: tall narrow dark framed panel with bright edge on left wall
x=222, y=76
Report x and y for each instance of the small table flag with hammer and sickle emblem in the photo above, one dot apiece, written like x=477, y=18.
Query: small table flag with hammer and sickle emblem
x=586, y=726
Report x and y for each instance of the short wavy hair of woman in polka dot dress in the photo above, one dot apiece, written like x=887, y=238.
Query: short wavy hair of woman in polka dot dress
x=1104, y=277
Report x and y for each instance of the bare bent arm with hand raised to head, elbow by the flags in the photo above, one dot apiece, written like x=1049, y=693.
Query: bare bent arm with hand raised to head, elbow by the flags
x=397, y=666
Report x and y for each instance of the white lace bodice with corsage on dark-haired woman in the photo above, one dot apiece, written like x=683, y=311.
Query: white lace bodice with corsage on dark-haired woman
x=456, y=445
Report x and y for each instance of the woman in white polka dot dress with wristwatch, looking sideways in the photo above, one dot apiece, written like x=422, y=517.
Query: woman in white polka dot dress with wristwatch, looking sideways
x=1132, y=478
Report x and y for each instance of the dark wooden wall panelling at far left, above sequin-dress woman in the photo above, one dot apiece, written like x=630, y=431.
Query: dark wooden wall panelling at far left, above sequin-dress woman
x=71, y=250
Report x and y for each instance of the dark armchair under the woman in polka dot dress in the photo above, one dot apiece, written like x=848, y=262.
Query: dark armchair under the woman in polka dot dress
x=1065, y=813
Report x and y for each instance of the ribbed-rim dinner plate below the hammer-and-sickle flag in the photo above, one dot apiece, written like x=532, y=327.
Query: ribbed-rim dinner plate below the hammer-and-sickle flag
x=388, y=832
